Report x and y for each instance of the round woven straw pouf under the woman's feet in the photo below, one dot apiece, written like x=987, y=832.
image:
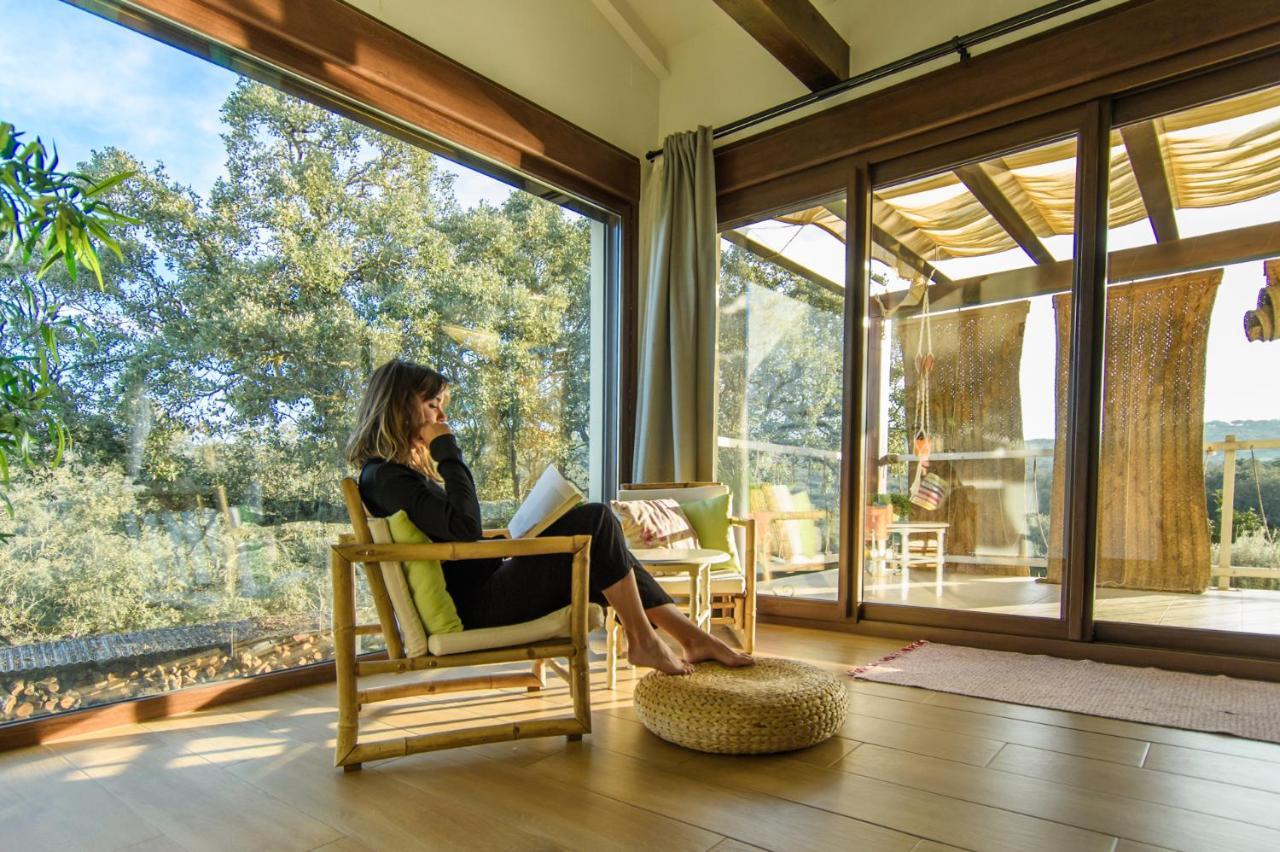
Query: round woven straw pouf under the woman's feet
x=775, y=706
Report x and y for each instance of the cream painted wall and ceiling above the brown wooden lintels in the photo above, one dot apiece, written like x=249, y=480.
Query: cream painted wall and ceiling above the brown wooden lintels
x=565, y=56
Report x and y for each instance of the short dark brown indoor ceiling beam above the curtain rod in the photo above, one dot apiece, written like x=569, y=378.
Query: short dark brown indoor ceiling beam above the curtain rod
x=797, y=35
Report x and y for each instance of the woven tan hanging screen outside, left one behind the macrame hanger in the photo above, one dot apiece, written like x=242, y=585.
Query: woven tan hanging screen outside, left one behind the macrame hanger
x=976, y=406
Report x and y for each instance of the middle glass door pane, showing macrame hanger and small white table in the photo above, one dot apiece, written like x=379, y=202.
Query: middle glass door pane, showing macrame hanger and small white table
x=968, y=292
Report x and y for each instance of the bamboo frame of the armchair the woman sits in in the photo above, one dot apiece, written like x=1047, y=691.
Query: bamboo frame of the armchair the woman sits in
x=360, y=547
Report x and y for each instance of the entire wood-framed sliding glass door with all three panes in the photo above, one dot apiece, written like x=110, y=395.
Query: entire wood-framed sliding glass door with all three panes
x=1057, y=370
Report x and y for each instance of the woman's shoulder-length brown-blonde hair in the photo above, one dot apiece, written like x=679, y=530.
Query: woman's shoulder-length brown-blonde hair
x=391, y=416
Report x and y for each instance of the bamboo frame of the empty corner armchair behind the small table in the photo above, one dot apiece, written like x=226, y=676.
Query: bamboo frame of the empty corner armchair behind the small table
x=733, y=598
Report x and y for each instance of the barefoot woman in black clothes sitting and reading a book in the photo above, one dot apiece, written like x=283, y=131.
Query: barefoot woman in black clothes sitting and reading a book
x=409, y=460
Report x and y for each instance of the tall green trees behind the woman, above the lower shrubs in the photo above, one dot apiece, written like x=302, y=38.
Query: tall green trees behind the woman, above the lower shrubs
x=248, y=322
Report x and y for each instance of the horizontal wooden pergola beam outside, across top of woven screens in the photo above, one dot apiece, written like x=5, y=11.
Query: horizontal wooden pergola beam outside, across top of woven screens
x=1240, y=246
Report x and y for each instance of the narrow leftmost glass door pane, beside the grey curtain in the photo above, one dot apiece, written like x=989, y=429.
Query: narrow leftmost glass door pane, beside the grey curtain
x=783, y=391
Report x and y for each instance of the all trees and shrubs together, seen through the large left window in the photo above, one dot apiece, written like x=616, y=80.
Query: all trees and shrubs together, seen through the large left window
x=232, y=341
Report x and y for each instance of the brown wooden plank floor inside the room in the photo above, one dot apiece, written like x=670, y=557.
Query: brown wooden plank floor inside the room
x=912, y=771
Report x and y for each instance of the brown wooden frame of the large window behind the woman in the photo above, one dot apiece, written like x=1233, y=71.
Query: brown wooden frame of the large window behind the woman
x=580, y=173
